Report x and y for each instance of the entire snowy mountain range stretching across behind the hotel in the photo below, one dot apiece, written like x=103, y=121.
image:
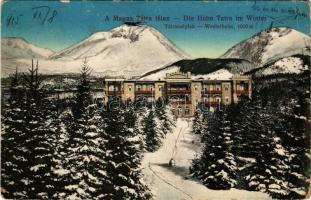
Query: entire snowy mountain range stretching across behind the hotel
x=134, y=50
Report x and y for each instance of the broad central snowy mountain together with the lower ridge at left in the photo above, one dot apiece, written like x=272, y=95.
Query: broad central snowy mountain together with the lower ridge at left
x=141, y=48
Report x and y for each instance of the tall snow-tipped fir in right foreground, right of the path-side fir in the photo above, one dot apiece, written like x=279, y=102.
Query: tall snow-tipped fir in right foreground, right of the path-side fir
x=268, y=172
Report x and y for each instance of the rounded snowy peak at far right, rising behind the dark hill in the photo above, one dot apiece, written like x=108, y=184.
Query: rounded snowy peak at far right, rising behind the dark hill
x=271, y=45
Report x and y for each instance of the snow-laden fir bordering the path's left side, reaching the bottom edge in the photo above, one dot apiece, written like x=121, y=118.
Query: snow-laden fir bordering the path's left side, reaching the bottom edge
x=123, y=157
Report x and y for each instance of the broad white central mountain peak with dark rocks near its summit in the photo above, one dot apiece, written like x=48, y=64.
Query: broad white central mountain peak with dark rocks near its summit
x=124, y=49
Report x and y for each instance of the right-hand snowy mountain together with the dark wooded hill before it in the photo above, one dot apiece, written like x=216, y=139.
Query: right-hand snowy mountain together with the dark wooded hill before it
x=262, y=50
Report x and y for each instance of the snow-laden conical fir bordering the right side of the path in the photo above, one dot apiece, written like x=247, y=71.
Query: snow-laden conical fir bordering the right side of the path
x=216, y=167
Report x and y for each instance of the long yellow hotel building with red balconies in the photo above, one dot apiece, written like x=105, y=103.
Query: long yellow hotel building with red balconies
x=182, y=93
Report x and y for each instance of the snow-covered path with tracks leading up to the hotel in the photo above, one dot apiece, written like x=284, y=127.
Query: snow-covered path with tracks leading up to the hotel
x=170, y=183
